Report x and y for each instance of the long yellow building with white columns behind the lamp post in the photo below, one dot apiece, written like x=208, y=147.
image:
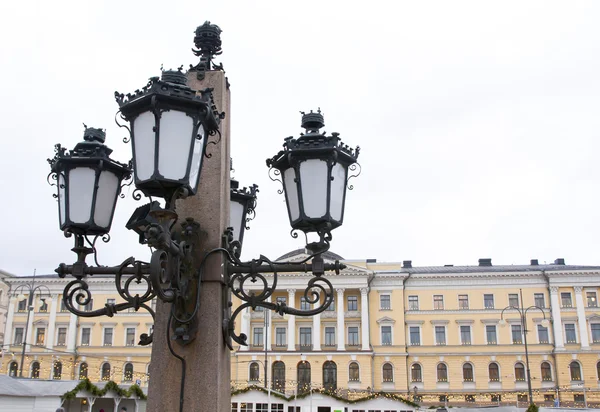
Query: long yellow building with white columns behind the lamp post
x=433, y=333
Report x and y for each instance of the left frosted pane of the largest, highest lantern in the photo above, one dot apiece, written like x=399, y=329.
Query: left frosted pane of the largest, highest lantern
x=144, y=140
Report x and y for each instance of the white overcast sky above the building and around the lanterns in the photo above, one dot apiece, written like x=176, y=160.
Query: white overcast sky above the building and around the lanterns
x=478, y=121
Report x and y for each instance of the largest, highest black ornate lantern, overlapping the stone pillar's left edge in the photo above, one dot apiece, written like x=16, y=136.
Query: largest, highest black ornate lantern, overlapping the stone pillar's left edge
x=169, y=128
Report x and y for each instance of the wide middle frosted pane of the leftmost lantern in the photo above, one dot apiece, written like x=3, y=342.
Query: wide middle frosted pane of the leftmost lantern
x=81, y=191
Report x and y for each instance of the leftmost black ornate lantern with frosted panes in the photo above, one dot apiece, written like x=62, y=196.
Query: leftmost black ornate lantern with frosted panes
x=88, y=184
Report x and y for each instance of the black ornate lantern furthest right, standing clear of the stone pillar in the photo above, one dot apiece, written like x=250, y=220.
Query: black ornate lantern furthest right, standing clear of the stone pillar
x=314, y=170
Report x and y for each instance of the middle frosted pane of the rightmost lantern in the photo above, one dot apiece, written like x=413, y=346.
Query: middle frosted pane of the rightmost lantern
x=313, y=176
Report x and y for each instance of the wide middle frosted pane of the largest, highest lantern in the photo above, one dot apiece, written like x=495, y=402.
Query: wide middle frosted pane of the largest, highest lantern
x=174, y=146
